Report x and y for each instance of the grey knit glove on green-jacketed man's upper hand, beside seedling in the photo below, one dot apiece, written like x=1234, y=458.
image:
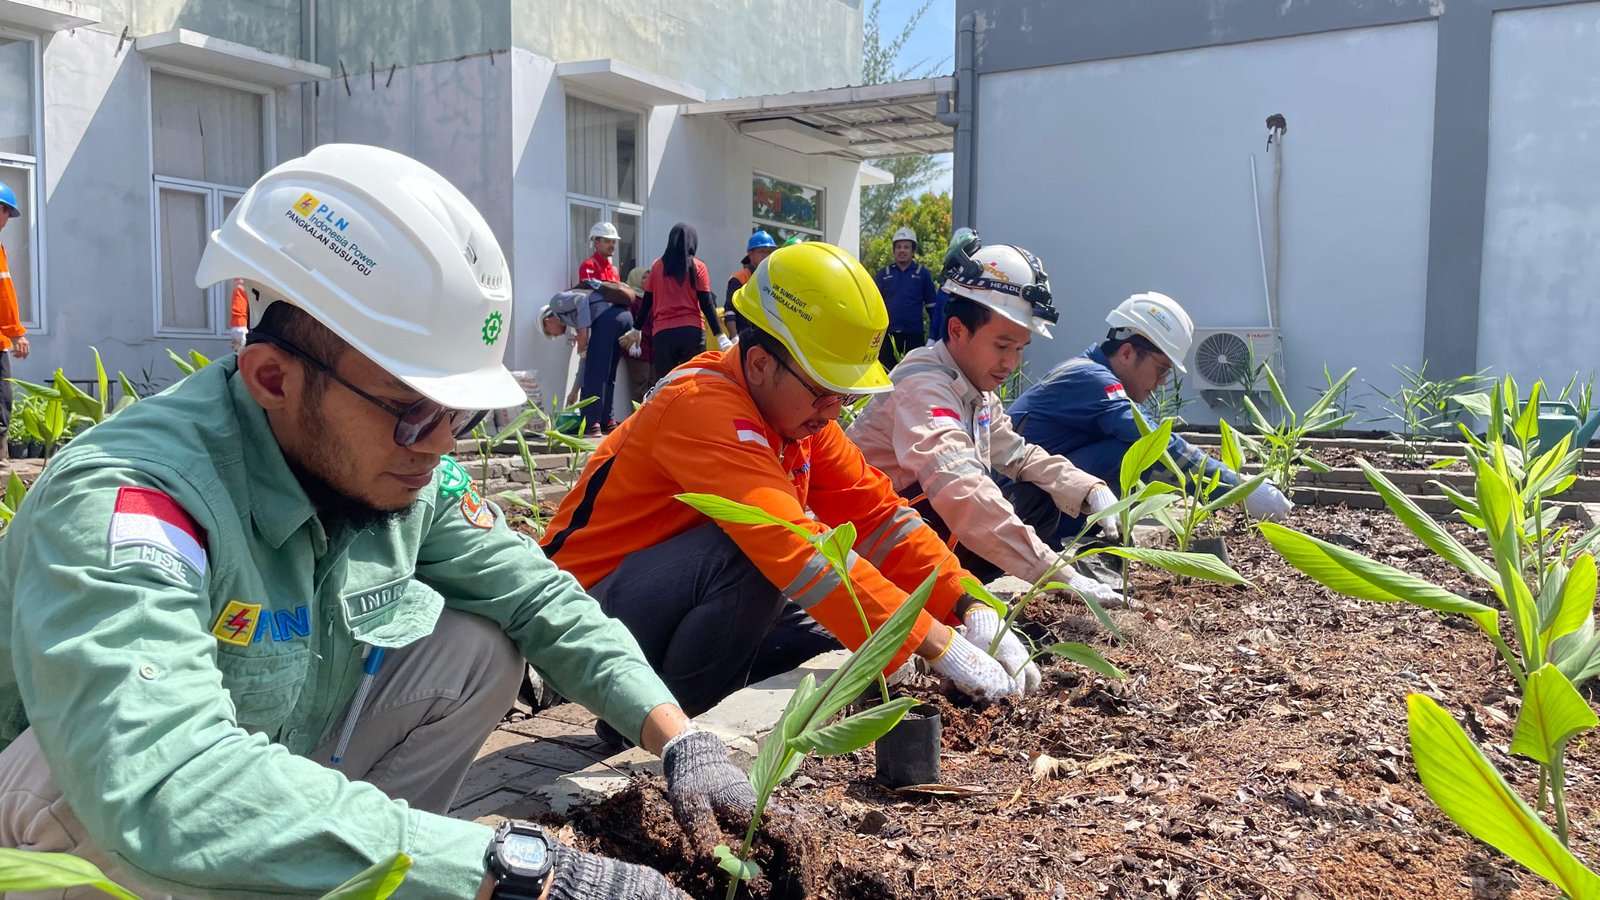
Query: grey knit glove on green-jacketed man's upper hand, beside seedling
x=703, y=787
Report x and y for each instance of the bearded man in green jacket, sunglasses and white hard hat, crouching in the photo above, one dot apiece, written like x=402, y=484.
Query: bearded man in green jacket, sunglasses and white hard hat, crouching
x=255, y=630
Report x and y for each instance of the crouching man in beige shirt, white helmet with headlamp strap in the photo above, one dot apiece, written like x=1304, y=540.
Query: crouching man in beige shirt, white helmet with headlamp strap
x=943, y=430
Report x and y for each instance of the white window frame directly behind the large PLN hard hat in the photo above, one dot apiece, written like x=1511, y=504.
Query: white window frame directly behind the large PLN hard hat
x=220, y=294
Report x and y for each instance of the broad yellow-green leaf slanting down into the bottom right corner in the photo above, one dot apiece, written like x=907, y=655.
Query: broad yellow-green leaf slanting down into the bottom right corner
x=1476, y=797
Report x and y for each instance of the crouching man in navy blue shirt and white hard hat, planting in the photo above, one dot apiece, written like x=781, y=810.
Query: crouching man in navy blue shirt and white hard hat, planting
x=1084, y=409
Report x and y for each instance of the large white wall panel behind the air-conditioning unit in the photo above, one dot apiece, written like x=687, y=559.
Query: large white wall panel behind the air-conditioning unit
x=1134, y=175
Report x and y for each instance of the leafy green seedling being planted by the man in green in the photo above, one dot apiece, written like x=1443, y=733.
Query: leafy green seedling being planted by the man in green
x=806, y=725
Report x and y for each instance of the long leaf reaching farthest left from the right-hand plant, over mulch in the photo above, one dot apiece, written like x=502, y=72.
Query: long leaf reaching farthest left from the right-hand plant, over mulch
x=1354, y=576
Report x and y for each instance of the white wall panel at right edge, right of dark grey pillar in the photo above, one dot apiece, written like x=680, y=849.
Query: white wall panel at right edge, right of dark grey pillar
x=1542, y=238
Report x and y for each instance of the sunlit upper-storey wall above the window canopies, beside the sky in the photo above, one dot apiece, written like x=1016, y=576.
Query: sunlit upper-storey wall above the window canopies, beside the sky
x=726, y=50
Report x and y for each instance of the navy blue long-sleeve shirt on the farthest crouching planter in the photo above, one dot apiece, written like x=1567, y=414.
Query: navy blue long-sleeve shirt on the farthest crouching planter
x=1082, y=412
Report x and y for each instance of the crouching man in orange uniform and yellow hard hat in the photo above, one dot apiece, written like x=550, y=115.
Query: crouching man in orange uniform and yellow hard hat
x=719, y=605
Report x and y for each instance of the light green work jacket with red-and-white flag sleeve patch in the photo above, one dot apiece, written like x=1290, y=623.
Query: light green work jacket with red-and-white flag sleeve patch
x=180, y=630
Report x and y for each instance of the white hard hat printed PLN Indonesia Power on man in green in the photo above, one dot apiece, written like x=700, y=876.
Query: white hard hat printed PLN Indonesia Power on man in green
x=390, y=257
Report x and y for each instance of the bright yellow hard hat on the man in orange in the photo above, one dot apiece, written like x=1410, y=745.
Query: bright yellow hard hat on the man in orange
x=825, y=308
